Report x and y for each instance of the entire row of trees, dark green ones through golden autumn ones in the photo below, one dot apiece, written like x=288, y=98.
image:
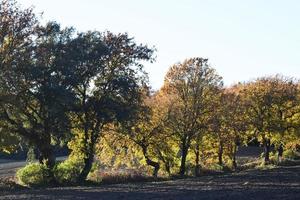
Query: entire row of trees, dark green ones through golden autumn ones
x=89, y=90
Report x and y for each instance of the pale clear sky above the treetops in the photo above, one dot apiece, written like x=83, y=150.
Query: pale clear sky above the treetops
x=243, y=39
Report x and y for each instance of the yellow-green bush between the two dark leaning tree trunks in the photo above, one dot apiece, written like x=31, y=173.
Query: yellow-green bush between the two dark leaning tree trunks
x=68, y=171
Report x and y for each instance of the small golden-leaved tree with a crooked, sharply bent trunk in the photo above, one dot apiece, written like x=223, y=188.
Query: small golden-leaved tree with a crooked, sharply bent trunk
x=148, y=131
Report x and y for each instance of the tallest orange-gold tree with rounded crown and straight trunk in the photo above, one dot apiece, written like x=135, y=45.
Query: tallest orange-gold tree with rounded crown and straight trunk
x=189, y=83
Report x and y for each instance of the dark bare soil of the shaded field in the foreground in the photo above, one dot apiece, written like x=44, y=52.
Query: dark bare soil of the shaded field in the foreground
x=279, y=183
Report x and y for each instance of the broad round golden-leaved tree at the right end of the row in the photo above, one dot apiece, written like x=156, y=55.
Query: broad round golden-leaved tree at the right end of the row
x=270, y=103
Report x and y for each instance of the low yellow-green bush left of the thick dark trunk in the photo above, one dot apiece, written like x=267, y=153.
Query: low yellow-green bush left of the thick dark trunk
x=33, y=174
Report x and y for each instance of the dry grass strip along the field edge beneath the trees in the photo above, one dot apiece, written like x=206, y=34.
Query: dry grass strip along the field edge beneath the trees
x=98, y=177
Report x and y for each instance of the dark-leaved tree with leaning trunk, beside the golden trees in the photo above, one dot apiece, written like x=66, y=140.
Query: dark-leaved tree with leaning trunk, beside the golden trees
x=110, y=88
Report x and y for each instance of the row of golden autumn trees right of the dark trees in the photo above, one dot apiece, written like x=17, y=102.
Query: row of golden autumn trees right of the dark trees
x=194, y=119
